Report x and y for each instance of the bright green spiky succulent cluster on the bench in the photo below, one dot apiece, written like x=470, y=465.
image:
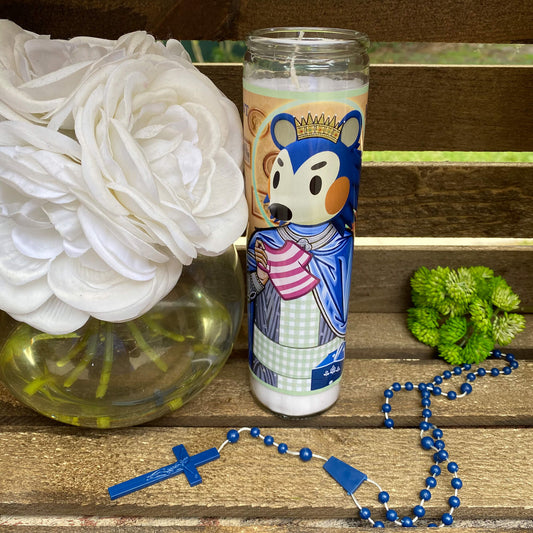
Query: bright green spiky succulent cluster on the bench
x=464, y=313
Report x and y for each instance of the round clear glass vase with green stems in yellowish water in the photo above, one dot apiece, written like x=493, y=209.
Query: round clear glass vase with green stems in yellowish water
x=109, y=375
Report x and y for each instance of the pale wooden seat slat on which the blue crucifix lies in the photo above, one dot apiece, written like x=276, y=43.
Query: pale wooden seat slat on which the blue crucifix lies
x=63, y=471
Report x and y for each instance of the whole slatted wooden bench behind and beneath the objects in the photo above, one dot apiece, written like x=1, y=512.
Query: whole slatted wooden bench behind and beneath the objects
x=56, y=475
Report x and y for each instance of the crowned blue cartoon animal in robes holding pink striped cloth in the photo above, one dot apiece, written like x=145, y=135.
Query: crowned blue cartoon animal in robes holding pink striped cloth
x=299, y=272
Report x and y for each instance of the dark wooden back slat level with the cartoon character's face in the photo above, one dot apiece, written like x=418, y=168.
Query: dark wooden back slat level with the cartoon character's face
x=446, y=200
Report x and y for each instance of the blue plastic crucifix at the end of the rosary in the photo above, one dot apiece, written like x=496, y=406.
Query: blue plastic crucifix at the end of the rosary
x=184, y=464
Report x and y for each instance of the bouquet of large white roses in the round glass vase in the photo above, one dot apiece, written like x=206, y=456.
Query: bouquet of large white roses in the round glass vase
x=119, y=163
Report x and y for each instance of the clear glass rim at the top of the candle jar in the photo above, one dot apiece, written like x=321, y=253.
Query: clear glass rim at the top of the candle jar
x=308, y=39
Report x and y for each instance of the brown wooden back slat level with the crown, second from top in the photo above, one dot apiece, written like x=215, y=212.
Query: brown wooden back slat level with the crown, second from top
x=412, y=107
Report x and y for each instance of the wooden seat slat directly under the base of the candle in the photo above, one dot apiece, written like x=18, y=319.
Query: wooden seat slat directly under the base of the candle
x=502, y=401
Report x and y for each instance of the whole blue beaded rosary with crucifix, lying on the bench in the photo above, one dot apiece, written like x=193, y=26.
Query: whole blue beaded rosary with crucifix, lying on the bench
x=347, y=476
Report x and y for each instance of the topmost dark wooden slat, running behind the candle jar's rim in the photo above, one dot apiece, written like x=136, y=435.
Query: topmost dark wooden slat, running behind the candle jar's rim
x=390, y=20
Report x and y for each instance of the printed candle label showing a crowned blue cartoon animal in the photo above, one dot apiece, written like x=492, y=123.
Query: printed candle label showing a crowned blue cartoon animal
x=302, y=155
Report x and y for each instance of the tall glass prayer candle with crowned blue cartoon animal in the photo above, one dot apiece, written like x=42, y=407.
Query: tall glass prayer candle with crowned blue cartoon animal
x=305, y=94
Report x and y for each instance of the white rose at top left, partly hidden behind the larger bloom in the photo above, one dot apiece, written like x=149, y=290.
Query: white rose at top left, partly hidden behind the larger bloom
x=38, y=75
